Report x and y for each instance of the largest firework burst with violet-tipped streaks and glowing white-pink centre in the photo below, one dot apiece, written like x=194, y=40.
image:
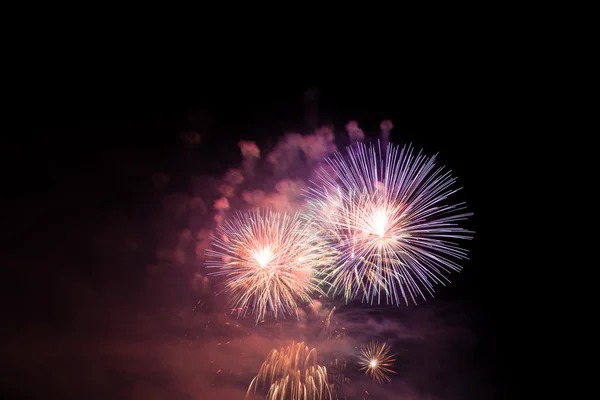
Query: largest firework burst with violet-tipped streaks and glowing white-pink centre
x=386, y=212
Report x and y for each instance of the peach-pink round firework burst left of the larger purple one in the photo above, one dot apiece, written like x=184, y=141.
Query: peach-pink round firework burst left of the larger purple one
x=269, y=261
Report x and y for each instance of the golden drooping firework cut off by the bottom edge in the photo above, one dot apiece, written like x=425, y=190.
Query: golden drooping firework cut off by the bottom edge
x=292, y=373
